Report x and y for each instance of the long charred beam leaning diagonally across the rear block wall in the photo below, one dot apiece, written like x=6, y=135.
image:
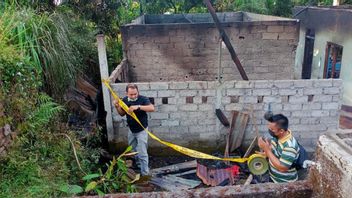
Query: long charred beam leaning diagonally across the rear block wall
x=226, y=40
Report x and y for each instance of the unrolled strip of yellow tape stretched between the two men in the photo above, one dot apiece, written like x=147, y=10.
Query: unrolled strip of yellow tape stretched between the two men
x=181, y=149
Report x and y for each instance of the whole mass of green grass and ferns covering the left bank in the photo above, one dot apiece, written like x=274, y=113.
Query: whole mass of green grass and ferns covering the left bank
x=35, y=48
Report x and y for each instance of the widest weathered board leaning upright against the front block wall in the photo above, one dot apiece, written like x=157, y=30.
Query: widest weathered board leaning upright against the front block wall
x=239, y=129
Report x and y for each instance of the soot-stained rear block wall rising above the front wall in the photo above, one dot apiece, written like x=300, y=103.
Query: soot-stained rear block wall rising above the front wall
x=187, y=52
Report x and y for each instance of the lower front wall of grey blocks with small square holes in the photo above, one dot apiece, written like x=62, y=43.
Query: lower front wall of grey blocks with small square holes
x=185, y=111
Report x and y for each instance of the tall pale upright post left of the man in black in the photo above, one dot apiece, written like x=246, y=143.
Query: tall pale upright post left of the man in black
x=104, y=74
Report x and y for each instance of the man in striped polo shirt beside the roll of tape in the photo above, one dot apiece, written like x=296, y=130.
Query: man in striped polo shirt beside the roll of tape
x=282, y=150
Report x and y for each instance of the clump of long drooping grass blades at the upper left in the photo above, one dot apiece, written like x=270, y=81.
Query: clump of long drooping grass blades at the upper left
x=43, y=40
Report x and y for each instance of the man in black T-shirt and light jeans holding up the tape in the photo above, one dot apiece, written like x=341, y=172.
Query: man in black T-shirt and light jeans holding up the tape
x=137, y=136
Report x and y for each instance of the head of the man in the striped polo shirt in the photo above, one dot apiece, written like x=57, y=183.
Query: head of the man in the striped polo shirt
x=278, y=125
